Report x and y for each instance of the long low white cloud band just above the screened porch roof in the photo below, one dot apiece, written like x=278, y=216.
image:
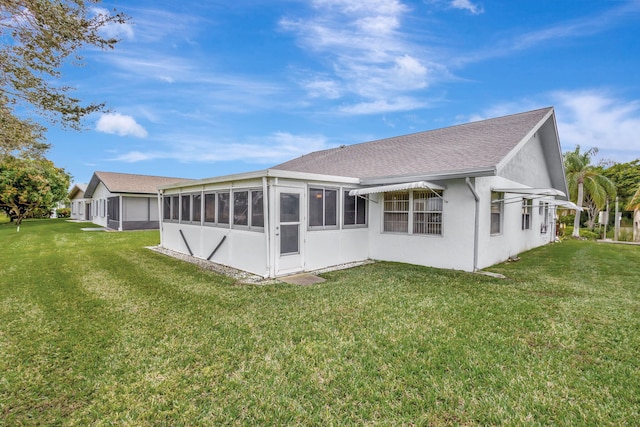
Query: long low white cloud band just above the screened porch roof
x=269, y=150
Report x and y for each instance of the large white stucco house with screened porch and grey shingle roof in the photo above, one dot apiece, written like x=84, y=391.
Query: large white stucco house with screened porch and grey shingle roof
x=463, y=197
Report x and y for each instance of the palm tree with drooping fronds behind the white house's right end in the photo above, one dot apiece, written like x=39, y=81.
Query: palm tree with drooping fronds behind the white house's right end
x=585, y=179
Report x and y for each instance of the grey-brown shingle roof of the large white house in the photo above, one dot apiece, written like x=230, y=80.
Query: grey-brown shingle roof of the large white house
x=476, y=145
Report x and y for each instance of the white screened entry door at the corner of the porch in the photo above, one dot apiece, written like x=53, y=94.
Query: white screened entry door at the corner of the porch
x=289, y=230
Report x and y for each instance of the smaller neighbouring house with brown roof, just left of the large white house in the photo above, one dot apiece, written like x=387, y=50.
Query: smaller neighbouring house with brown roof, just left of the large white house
x=123, y=201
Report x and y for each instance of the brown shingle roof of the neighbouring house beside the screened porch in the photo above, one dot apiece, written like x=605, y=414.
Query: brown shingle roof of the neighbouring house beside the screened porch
x=129, y=183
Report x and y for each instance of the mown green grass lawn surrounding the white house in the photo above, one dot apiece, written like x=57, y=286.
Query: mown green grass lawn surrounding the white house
x=97, y=330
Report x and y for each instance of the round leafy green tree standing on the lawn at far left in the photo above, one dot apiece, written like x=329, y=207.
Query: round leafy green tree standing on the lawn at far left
x=29, y=185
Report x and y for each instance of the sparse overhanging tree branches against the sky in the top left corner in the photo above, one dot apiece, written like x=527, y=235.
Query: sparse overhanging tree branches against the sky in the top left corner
x=39, y=36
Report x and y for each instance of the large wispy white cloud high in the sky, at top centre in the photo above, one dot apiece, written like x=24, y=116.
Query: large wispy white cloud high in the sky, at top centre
x=368, y=54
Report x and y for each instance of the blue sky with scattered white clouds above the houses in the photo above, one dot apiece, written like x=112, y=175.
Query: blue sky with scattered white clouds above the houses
x=199, y=89
